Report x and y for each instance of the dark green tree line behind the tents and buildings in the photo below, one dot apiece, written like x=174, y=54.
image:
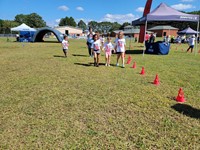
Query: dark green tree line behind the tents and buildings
x=36, y=21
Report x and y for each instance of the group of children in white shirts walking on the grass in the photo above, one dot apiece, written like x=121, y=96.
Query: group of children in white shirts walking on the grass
x=96, y=45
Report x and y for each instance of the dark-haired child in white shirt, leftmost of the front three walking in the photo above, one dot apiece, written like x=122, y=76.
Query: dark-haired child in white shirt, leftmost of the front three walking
x=96, y=49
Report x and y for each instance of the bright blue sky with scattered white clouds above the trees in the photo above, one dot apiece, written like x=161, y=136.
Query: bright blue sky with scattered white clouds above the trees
x=87, y=10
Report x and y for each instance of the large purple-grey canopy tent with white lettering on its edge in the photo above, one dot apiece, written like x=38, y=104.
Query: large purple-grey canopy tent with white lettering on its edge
x=166, y=13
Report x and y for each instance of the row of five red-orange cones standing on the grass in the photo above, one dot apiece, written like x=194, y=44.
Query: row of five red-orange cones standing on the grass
x=180, y=98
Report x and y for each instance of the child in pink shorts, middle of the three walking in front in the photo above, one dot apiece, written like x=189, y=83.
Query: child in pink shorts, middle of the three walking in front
x=108, y=47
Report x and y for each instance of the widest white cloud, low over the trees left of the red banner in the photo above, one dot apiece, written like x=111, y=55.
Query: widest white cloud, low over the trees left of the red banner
x=119, y=18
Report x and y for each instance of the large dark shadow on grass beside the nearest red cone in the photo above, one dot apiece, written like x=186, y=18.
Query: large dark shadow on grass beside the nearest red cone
x=187, y=110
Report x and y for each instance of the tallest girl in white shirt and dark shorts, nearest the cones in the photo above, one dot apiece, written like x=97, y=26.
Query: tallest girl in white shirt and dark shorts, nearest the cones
x=120, y=48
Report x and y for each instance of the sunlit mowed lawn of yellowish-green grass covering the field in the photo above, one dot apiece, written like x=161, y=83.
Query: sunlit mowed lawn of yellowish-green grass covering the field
x=51, y=102
